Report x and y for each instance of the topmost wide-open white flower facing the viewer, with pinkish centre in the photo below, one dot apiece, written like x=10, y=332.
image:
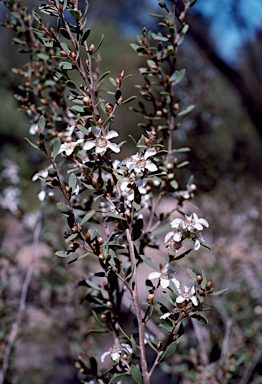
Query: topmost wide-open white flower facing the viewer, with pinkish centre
x=101, y=142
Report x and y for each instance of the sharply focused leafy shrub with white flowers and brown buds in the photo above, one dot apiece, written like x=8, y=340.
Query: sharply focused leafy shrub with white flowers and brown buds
x=112, y=205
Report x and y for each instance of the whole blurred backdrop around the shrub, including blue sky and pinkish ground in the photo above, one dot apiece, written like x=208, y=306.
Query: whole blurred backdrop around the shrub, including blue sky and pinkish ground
x=222, y=55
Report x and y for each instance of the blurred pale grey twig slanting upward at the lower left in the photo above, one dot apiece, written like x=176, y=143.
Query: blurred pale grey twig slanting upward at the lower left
x=22, y=304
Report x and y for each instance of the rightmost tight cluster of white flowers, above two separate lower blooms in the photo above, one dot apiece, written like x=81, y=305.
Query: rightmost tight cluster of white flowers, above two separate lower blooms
x=190, y=228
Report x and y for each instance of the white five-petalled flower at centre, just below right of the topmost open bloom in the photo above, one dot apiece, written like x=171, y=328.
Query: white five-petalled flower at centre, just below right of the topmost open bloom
x=139, y=162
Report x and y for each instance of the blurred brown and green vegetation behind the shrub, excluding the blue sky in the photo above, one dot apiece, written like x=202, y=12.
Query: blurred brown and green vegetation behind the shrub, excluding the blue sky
x=225, y=160
